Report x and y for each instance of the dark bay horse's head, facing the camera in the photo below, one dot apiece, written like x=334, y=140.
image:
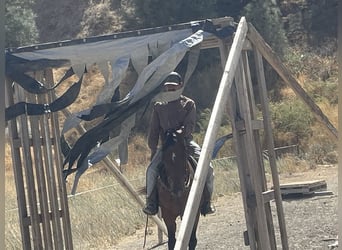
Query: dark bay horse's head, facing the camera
x=175, y=161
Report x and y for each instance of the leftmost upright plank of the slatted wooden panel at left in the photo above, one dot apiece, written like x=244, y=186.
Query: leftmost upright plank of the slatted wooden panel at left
x=18, y=174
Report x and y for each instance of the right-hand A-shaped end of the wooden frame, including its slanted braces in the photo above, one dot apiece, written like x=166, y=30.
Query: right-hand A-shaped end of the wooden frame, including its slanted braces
x=237, y=86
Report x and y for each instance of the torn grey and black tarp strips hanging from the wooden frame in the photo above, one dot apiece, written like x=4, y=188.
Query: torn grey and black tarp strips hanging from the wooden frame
x=152, y=53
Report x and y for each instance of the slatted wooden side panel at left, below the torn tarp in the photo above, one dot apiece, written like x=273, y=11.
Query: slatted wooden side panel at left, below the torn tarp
x=37, y=164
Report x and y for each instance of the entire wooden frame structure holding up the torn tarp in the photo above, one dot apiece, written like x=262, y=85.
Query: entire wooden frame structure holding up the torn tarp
x=42, y=200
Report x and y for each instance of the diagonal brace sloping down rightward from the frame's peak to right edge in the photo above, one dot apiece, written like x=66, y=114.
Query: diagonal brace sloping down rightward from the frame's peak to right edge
x=286, y=75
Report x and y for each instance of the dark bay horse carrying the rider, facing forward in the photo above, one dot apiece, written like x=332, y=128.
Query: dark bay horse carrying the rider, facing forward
x=174, y=183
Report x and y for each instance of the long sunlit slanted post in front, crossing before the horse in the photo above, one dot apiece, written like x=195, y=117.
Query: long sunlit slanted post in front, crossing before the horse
x=209, y=140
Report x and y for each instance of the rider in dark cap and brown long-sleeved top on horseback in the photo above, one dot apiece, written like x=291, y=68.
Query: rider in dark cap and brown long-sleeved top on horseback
x=172, y=115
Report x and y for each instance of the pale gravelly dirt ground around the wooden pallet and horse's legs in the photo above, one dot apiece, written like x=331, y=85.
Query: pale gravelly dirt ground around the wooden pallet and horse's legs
x=311, y=222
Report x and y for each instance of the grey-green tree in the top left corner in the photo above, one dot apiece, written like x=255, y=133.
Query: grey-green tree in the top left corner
x=20, y=26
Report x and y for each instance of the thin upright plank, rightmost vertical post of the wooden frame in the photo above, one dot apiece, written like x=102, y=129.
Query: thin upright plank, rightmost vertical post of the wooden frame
x=270, y=144
